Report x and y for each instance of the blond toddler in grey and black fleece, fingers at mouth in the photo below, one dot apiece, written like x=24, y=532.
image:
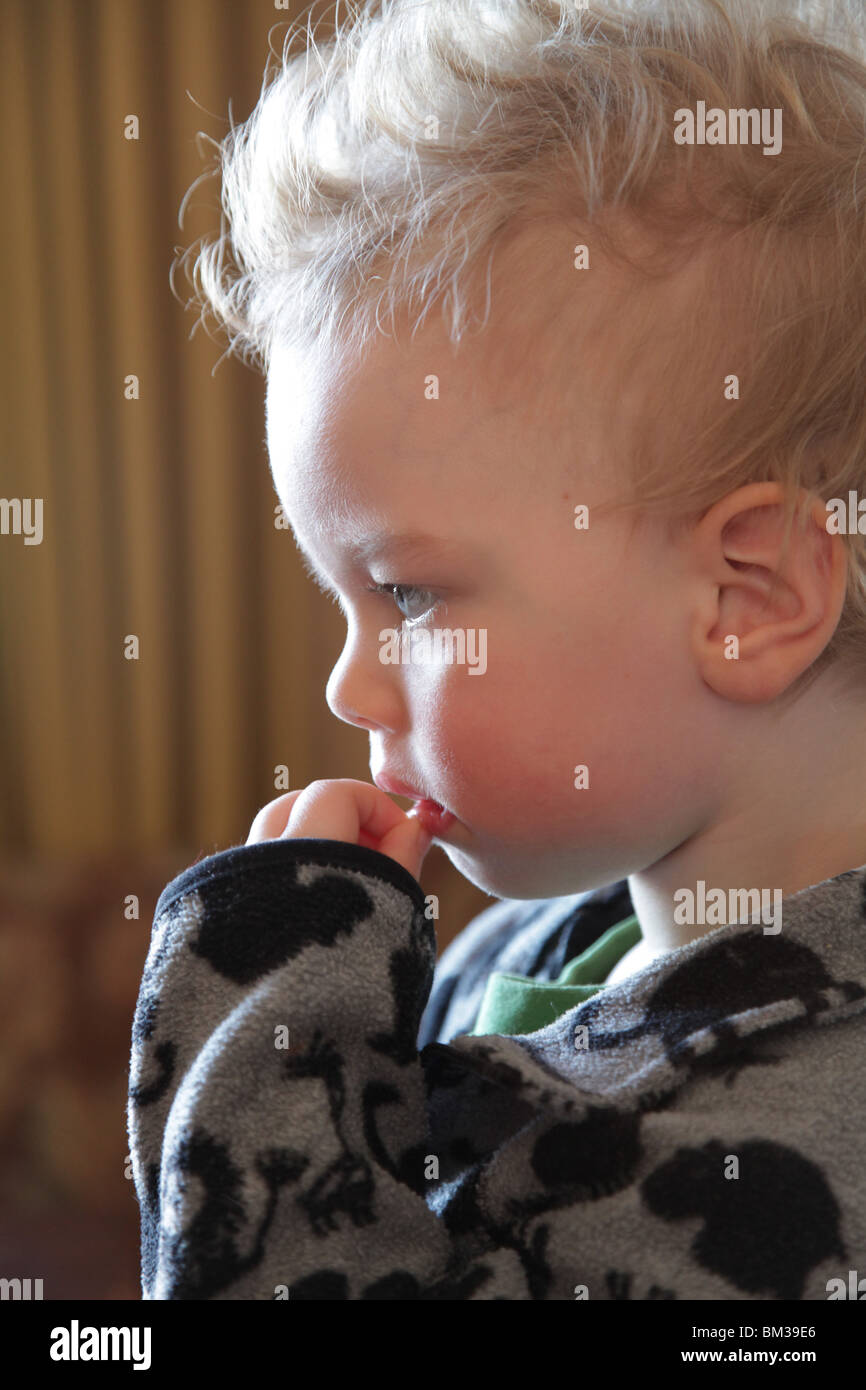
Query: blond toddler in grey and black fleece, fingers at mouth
x=562, y=311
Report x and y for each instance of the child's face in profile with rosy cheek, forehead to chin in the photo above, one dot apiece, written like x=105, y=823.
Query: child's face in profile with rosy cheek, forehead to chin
x=587, y=630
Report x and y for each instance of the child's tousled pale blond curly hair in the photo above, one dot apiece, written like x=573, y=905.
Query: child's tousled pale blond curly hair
x=384, y=166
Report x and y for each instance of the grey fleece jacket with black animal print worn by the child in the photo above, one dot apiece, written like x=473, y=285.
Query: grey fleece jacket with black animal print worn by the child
x=311, y=1117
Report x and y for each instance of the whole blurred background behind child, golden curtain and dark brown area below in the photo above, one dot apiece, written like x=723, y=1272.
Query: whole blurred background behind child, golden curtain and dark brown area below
x=122, y=767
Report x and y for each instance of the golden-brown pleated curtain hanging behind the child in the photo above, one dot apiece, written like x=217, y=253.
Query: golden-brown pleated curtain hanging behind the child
x=162, y=651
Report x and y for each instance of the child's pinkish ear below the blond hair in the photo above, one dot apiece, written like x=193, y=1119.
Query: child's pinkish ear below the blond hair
x=764, y=614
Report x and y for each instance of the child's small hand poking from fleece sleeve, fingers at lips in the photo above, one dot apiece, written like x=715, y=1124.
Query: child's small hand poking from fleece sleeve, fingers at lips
x=344, y=810
